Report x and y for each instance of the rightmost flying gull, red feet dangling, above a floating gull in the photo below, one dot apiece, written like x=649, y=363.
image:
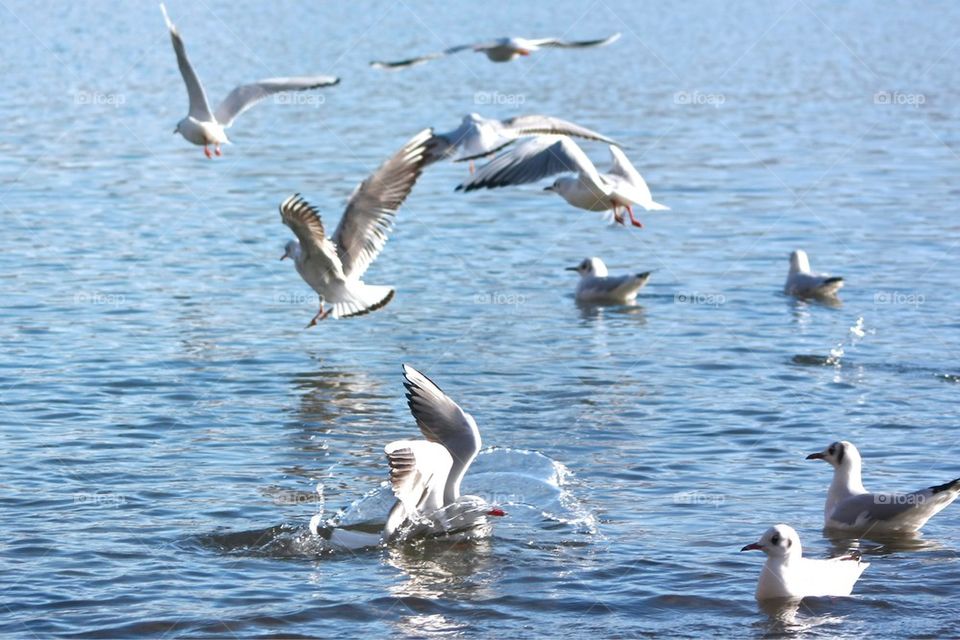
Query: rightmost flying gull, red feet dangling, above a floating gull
x=544, y=156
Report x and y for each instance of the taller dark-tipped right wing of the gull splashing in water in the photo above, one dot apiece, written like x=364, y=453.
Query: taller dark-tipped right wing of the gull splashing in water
x=441, y=420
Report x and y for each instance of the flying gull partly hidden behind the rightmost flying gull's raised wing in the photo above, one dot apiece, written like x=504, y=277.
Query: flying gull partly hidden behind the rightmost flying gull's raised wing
x=477, y=137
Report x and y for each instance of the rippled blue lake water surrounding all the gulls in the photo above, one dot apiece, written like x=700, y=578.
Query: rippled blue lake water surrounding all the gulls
x=167, y=419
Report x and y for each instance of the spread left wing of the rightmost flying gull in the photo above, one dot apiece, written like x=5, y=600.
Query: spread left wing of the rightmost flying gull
x=532, y=160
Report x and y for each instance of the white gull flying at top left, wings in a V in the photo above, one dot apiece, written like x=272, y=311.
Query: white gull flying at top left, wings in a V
x=205, y=127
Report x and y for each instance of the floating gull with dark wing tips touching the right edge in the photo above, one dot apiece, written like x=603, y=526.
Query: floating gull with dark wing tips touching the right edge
x=850, y=507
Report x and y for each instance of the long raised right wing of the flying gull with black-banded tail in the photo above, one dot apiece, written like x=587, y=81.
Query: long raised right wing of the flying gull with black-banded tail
x=370, y=212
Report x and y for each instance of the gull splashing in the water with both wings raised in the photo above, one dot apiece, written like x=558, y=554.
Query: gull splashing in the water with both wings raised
x=425, y=475
